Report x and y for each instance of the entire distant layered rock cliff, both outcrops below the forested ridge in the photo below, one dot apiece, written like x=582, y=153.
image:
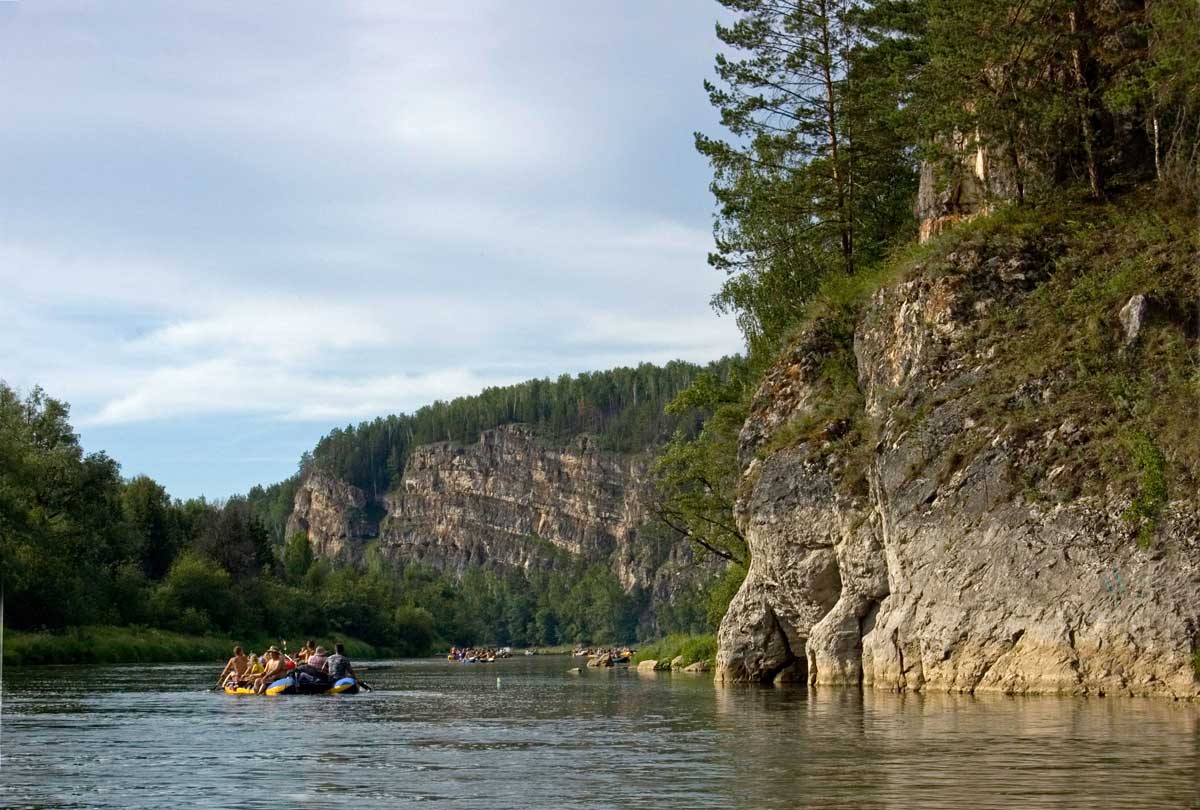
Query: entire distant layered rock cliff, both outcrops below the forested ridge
x=508, y=501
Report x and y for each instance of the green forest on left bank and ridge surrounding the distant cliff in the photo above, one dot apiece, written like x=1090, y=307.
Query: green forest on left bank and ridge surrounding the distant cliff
x=81, y=545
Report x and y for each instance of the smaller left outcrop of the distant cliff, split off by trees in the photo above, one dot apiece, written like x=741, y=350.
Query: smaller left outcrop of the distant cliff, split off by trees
x=335, y=517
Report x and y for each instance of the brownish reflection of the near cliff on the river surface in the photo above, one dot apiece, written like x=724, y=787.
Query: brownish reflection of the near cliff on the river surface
x=844, y=748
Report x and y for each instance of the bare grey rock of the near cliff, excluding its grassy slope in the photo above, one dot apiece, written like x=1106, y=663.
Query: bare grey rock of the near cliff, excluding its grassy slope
x=926, y=562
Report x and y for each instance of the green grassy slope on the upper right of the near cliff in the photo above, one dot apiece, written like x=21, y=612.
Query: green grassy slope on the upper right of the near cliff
x=1064, y=344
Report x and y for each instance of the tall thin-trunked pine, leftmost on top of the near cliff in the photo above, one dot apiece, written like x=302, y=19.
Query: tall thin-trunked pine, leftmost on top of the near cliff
x=799, y=184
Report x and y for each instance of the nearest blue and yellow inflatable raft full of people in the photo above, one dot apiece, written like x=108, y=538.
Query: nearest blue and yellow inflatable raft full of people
x=311, y=673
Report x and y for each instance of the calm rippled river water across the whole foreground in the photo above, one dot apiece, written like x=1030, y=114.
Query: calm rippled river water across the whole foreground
x=525, y=734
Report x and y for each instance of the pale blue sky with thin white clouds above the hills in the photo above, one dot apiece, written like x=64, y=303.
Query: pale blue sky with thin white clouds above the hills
x=227, y=229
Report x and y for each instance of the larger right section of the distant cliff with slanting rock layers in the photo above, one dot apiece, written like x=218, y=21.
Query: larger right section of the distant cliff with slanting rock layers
x=513, y=501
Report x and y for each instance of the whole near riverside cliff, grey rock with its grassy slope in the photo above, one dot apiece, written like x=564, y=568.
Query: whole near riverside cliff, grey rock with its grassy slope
x=1000, y=494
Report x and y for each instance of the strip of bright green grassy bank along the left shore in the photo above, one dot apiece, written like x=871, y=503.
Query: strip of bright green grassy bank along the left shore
x=110, y=645
